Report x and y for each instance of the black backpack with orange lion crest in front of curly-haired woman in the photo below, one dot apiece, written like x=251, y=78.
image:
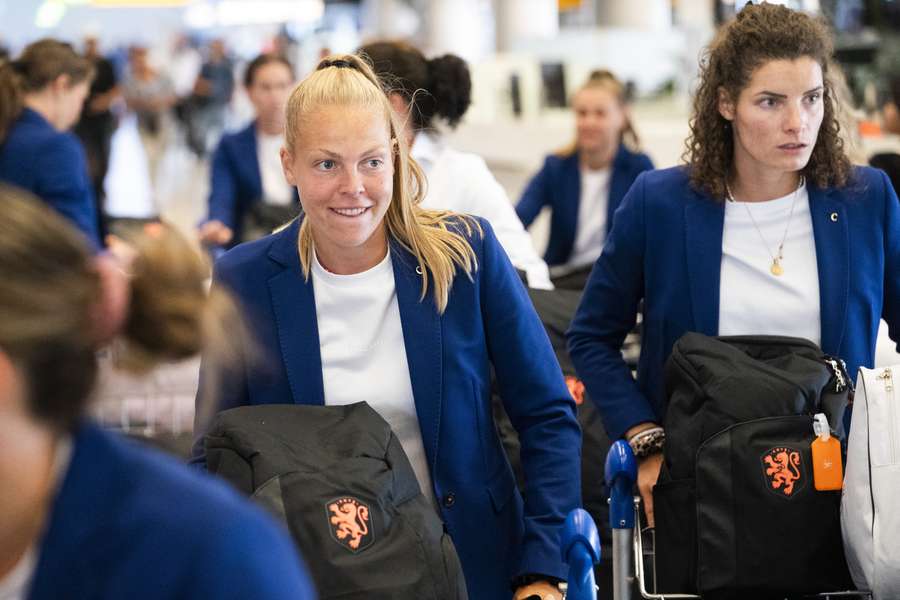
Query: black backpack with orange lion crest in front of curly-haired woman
x=737, y=514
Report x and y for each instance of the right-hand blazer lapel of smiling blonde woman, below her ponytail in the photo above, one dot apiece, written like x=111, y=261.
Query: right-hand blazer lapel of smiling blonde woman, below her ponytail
x=424, y=350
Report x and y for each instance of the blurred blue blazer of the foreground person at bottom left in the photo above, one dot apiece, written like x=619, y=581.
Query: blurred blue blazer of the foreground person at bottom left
x=129, y=522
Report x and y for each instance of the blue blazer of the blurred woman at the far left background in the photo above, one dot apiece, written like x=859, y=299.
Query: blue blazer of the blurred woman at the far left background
x=52, y=166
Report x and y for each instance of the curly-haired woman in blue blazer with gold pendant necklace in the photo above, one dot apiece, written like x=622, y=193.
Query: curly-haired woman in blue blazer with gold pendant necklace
x=768, y=229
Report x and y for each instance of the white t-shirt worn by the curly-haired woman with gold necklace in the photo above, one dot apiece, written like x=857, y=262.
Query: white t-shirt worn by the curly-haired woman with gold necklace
x=753, y=301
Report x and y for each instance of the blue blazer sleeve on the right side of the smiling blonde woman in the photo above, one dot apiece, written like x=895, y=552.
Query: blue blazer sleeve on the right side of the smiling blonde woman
x=539, y=406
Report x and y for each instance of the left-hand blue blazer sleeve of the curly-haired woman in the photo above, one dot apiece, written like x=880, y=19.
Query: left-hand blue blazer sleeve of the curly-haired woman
x=607, y=312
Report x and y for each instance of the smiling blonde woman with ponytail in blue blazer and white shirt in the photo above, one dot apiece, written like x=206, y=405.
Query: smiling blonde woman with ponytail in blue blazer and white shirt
x=369, y=297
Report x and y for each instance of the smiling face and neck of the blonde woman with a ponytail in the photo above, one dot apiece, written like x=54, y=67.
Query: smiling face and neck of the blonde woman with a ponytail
x=342, y=166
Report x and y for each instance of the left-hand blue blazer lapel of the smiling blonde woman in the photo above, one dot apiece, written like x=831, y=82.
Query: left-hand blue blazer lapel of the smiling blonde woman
x=293, y=302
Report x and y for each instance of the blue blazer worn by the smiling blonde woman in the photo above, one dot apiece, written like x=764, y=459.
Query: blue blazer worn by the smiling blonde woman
x=488, y=321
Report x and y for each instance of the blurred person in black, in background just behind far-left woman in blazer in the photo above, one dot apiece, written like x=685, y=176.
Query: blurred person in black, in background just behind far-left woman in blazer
x=97, y=123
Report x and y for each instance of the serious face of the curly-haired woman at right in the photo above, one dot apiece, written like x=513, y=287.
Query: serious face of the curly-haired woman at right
x=777, y=117
